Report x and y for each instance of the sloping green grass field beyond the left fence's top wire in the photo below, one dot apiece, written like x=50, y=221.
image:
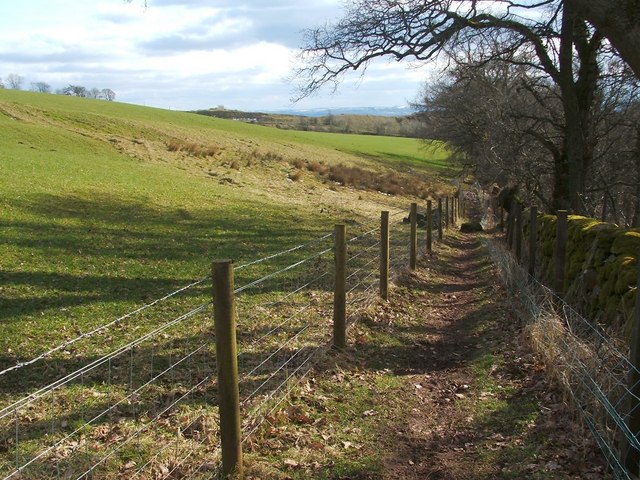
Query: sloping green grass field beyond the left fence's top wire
x=98, y=216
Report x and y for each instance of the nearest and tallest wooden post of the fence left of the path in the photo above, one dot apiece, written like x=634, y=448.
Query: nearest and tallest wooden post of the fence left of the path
x=227, y=366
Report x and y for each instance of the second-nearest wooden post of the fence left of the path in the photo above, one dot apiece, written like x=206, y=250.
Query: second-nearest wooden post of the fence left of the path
x=340, y=288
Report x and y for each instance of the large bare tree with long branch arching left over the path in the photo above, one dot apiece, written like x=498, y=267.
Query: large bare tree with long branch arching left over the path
x=560, y=46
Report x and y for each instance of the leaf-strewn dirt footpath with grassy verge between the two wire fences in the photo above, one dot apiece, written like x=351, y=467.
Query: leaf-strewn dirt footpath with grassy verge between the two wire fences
x=437, y=383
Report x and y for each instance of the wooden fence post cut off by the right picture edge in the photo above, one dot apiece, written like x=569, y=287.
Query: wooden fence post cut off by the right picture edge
x=631, y=454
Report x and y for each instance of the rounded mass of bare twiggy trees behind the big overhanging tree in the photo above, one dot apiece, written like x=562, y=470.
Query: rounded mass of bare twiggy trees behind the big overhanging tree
x=500, y=120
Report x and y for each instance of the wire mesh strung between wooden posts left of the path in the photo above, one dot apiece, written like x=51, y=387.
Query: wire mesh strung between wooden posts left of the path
x=136, y=397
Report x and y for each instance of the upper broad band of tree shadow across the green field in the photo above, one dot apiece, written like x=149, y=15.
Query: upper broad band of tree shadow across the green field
x=120, y=228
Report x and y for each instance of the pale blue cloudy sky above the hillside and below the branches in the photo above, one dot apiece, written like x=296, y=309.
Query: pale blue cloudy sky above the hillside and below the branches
x=187, y=54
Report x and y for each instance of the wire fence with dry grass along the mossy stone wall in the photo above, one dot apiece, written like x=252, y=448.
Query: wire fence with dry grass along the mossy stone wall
x=593, y=367
